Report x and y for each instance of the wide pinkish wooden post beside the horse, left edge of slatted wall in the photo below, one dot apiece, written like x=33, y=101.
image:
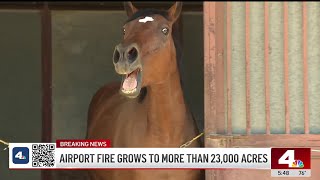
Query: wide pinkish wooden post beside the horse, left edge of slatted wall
x=214, y=67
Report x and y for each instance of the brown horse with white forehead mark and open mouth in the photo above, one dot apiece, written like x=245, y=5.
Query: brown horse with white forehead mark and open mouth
x=150, y=110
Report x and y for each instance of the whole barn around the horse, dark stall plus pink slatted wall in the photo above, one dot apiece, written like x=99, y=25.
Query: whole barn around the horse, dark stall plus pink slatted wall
x=55, y=57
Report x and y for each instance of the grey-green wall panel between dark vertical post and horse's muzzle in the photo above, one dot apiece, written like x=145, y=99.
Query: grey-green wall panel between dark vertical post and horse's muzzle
x=83, y=44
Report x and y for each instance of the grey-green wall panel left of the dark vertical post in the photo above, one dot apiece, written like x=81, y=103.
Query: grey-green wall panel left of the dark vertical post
x=20, y=85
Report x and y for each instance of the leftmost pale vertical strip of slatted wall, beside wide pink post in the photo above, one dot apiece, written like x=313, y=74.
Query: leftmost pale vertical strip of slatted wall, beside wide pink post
x=238, y=68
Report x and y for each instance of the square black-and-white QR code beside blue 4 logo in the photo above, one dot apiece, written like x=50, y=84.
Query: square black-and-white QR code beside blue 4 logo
x=43, y=155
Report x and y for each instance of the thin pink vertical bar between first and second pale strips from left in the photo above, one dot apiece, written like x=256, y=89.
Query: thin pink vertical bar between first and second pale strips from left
x=248, y=125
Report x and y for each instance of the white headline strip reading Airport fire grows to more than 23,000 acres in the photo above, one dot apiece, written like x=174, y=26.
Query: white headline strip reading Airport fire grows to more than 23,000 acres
x=49, y=156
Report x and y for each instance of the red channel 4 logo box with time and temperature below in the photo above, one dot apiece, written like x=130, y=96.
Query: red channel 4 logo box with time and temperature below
x=290, y=162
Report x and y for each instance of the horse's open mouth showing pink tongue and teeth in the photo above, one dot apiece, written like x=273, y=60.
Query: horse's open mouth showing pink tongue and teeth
x=131, y=83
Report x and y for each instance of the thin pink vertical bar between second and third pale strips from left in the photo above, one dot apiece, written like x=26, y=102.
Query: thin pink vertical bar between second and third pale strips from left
x=266, y=60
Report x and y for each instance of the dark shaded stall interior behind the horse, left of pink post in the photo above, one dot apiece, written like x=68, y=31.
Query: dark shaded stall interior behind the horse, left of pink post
x=55, y=56
